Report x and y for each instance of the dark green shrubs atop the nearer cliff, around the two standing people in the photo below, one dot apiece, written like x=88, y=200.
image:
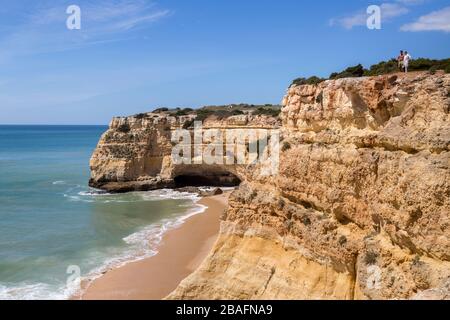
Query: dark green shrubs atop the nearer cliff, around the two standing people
x=383, y=67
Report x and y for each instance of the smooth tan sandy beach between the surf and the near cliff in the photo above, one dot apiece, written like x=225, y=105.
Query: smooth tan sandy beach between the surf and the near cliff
x=181, y=252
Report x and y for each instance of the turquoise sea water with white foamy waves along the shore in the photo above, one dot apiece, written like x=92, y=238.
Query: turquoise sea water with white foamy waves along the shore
x=50, y=219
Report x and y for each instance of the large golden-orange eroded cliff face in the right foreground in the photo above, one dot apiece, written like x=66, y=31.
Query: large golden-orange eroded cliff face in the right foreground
x=360, y=208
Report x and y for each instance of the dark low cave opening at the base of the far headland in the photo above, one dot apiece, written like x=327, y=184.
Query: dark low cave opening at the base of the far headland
x=223, y=180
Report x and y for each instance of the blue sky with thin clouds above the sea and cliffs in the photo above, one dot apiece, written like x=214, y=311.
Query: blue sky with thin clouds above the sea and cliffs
x=133, y=56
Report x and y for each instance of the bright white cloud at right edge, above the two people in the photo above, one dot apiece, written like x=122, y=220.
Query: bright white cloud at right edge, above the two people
x=434, y=21
